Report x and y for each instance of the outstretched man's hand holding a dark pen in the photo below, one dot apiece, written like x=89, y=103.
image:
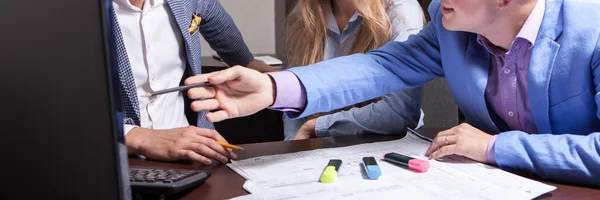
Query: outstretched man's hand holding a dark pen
x=236, y=92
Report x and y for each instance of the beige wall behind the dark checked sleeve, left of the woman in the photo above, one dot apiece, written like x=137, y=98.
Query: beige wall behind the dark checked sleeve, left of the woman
x=256, y=21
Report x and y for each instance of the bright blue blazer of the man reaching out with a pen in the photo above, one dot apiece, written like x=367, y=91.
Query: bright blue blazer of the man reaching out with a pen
x=563, y=86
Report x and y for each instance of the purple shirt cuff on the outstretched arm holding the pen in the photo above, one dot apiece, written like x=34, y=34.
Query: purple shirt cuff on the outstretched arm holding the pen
x=291, y=95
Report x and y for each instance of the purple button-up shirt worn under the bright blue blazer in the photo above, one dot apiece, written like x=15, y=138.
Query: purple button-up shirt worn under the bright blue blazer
x=506, y=90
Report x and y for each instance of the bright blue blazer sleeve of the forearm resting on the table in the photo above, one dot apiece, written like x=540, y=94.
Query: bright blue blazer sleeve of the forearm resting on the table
x=566, y=157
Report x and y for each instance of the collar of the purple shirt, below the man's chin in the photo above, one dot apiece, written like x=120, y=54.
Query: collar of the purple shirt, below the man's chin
x=528, y=32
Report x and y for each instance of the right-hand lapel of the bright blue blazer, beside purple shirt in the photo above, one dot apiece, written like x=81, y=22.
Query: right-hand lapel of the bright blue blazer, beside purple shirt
x=543, y=55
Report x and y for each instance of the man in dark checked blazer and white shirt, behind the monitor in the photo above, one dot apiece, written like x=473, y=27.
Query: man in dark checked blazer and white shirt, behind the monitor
x=157, y=45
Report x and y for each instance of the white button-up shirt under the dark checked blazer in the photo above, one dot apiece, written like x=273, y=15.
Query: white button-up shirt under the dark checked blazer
x=157, y=56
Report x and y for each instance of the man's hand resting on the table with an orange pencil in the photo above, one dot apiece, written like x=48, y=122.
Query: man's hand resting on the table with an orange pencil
x=187, y=143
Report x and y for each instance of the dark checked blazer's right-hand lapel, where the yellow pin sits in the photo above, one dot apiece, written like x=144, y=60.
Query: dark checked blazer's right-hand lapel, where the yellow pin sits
x=182, y=12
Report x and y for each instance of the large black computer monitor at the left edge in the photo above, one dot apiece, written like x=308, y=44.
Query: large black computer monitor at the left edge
x=60, y=133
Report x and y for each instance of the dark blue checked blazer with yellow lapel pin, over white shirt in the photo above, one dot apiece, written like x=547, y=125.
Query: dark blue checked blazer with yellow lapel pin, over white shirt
x=217, y=28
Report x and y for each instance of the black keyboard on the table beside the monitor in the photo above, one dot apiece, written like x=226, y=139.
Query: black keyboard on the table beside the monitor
x=164, y=181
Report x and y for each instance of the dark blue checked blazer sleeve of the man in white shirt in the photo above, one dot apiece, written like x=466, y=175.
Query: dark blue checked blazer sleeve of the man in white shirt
x=219, y=30
